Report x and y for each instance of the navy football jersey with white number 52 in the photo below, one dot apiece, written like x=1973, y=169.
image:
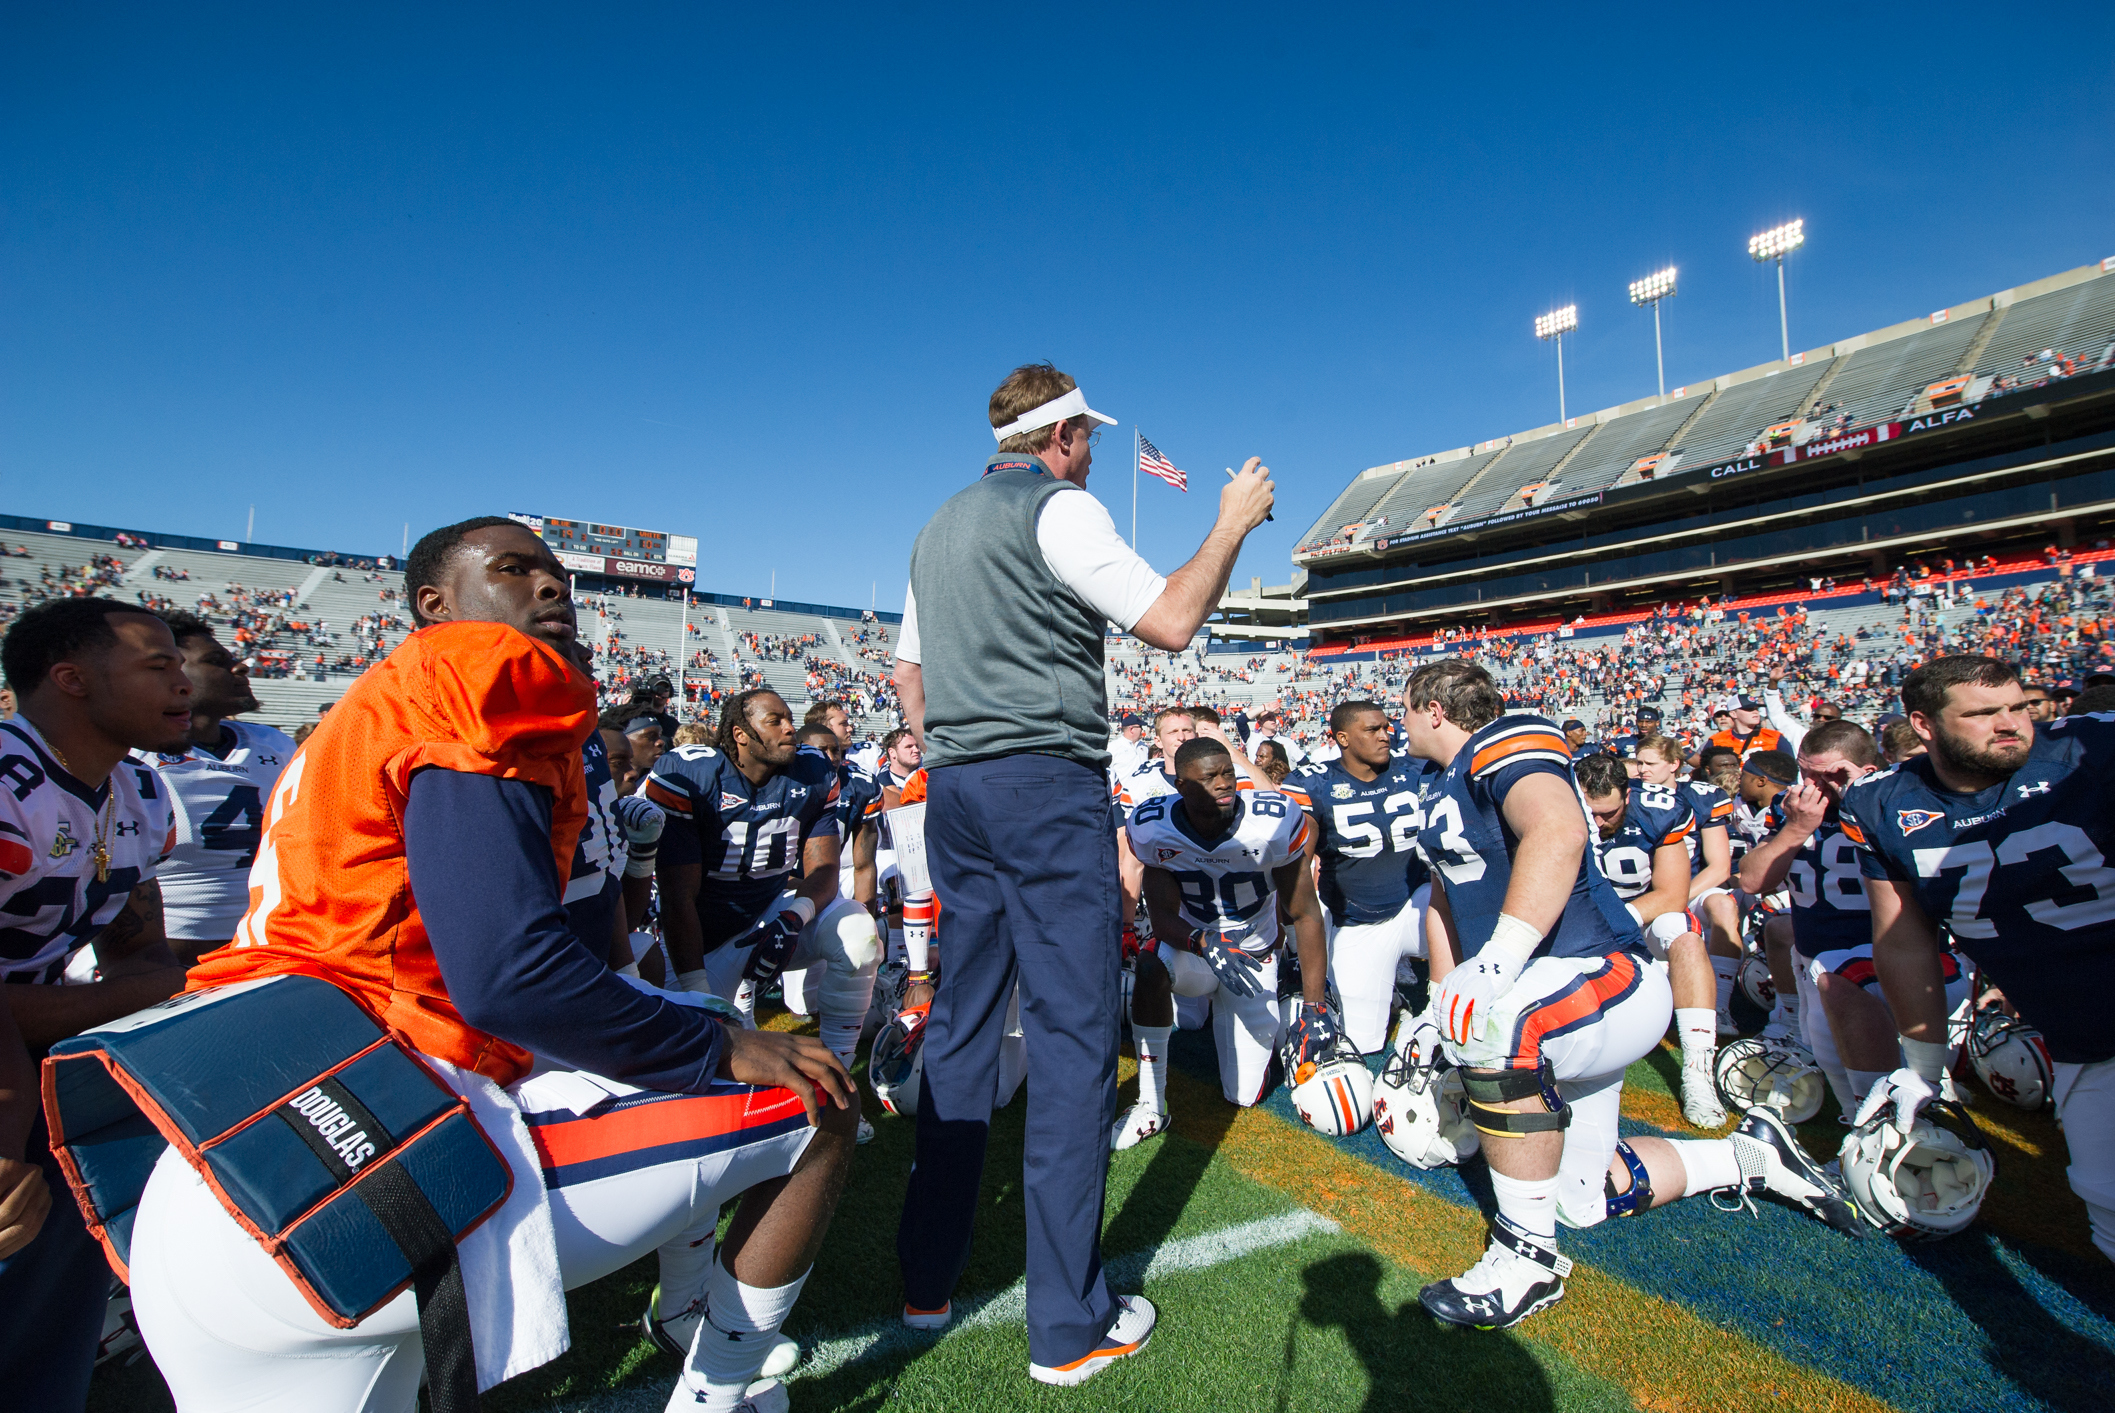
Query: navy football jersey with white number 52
x=1369, y=837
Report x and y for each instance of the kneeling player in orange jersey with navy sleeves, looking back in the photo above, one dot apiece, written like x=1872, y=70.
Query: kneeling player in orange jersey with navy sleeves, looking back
x=416, y=858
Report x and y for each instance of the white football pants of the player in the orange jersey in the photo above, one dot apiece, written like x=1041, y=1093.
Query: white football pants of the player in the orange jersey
x=650, y=1173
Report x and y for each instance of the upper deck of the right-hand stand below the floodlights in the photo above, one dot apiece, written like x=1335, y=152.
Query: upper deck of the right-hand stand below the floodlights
x=1987, y=428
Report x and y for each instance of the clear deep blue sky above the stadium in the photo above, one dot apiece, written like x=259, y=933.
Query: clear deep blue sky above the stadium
x=752, y=276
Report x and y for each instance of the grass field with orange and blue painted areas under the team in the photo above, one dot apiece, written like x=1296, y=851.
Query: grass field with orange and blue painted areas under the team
x=1287, y=1272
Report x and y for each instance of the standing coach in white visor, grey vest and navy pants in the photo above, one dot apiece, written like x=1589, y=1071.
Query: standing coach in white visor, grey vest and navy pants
x=999, y=665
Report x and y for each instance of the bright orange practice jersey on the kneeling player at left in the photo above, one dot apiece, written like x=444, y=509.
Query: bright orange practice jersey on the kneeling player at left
x=331, y=889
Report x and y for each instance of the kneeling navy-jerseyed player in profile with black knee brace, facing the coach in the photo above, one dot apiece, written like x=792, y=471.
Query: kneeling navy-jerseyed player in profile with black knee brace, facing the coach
x=1551, y=1002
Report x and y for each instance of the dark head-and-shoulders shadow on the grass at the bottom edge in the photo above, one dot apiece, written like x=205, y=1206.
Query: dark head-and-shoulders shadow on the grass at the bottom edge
x=1412, y=1361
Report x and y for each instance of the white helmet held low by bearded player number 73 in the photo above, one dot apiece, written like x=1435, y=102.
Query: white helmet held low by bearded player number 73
x=1926, y=1183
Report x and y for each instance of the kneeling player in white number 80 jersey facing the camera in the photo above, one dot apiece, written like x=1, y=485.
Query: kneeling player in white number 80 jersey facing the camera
x=1219, y=864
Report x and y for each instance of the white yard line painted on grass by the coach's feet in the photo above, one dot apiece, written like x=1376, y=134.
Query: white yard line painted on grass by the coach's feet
x=1010, y=1306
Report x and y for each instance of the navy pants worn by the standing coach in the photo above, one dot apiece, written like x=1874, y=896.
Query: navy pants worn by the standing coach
x=1025, y=864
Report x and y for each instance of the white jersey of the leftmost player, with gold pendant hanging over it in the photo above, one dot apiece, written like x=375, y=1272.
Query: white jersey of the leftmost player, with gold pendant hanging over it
x=50, y=822
